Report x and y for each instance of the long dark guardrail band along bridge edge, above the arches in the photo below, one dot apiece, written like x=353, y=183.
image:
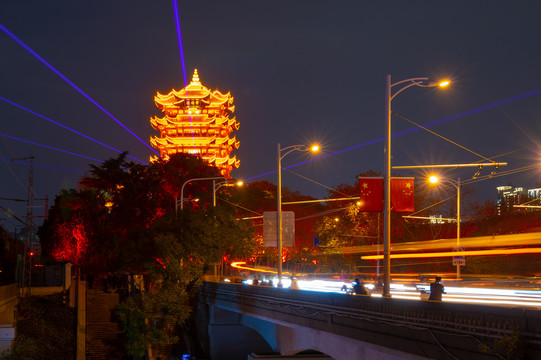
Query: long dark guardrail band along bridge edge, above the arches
x=395, y=318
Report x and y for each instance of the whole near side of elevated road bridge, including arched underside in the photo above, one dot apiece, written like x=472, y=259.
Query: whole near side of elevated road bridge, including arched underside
x=356, y=327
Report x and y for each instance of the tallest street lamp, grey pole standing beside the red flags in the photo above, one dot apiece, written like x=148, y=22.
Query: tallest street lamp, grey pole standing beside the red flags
x=389, y=96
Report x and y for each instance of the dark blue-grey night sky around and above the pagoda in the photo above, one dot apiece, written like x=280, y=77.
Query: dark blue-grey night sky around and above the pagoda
x=301, y=72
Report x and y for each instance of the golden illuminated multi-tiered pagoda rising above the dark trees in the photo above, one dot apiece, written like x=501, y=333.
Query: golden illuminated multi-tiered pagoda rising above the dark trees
x=197, y=122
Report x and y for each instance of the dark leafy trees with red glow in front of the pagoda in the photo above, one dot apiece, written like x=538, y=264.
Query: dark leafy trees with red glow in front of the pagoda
x=123, y=219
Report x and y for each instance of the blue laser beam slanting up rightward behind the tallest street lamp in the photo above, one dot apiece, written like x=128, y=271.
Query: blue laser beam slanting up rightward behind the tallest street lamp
x=412, y=129
